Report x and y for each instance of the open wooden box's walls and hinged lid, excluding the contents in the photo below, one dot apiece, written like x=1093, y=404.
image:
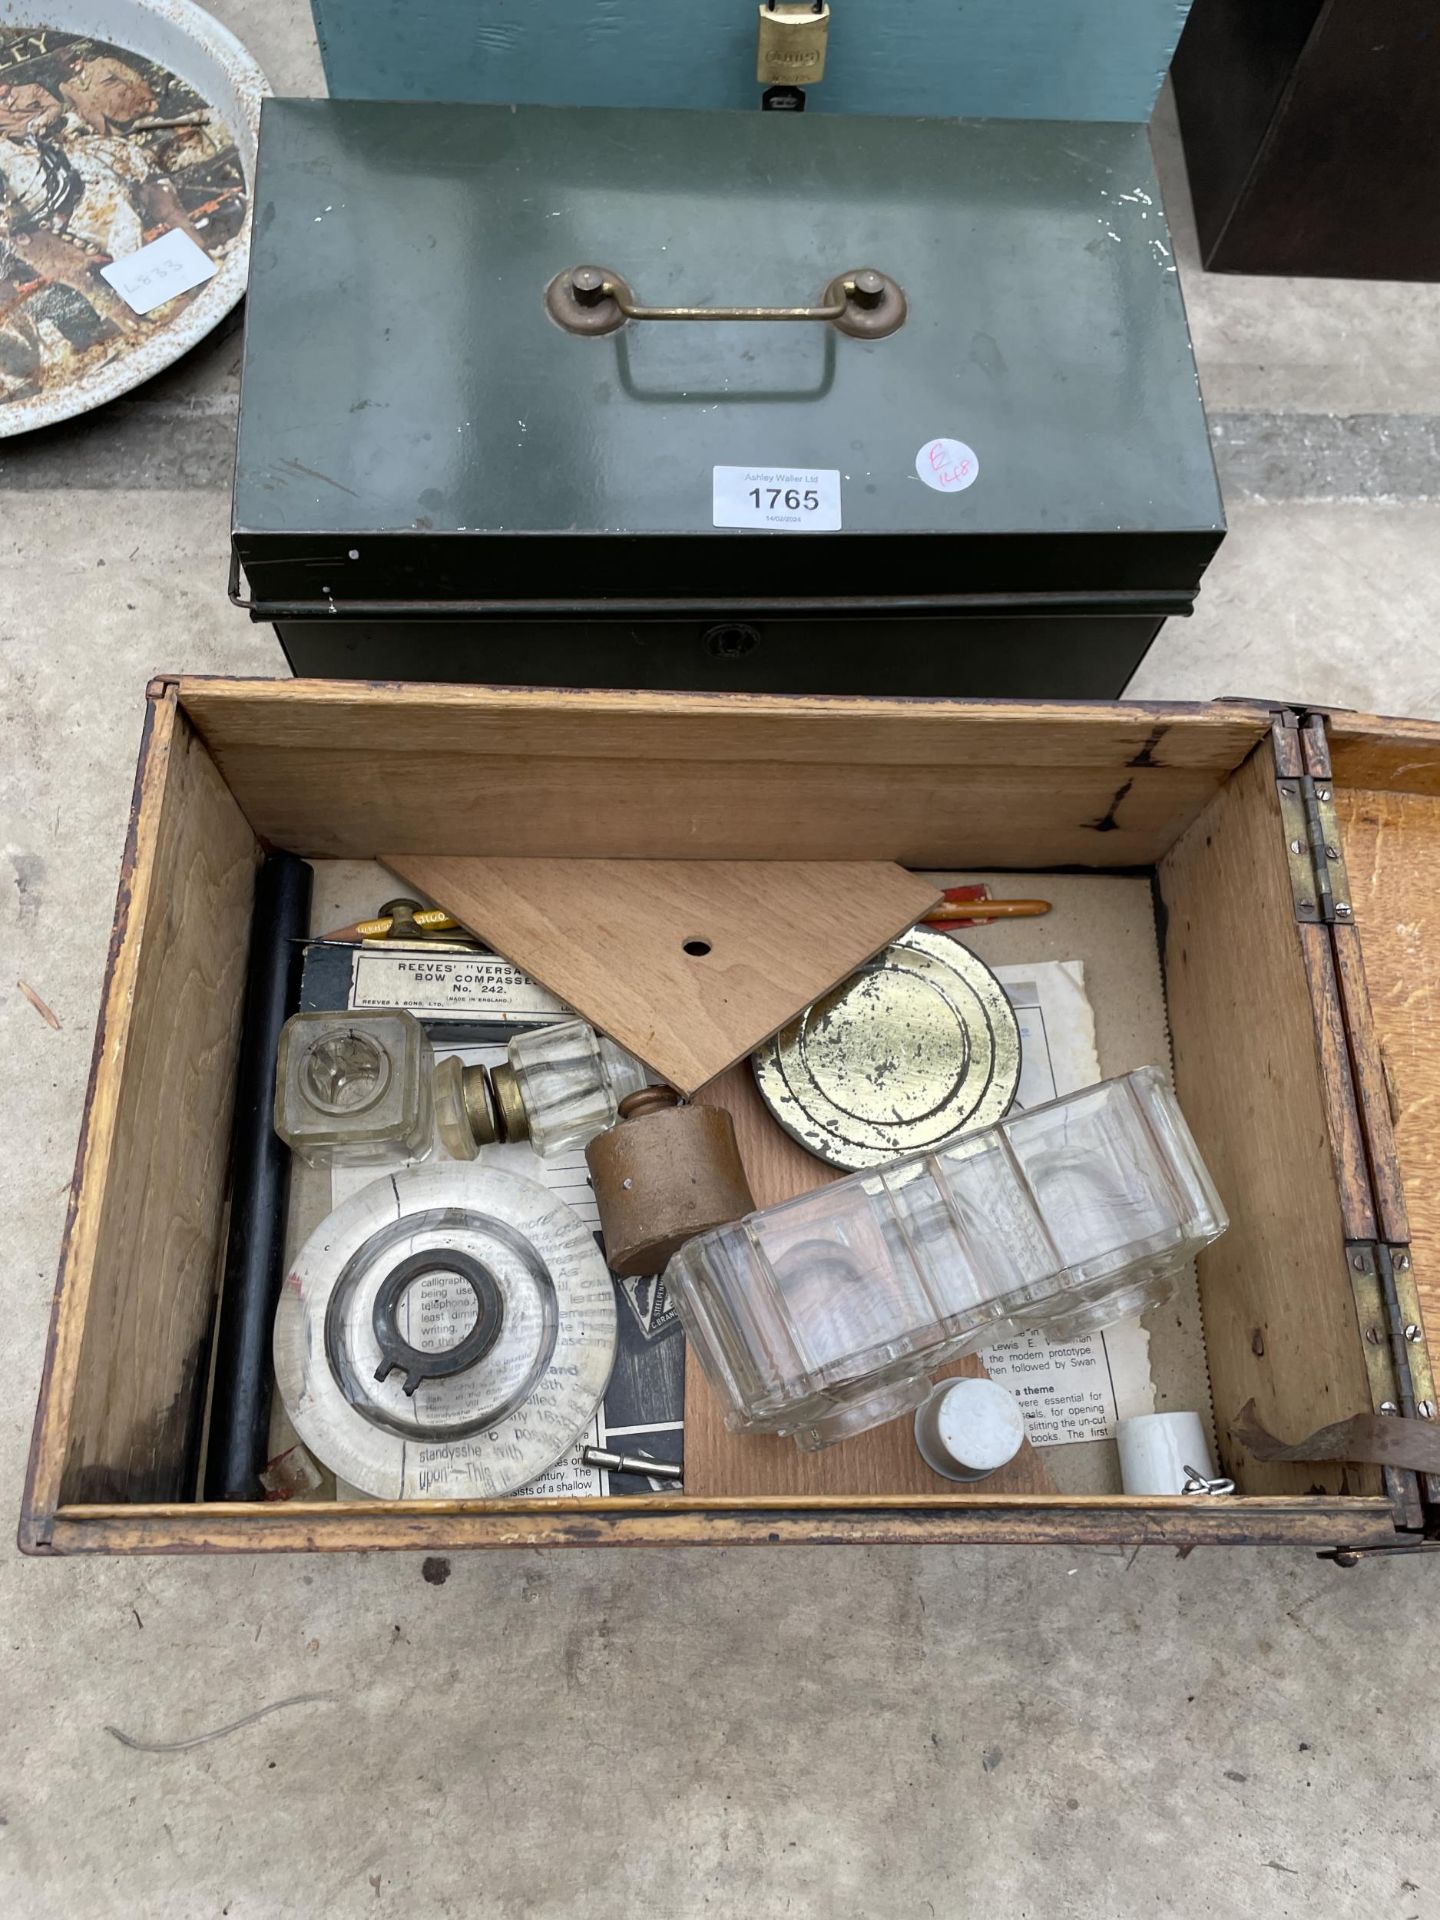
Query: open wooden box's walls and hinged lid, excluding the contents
x=1291, y=859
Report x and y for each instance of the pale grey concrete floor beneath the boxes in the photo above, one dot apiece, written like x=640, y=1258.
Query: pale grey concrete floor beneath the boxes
x=813, y=1733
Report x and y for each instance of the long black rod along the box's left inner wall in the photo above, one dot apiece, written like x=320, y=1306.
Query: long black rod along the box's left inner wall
x=260, y=1189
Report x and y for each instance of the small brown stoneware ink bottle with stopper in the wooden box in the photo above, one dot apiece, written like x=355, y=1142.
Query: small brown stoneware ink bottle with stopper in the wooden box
x=663, y=1174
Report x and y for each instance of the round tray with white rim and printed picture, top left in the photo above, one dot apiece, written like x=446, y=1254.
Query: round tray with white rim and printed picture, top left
x=128, y=155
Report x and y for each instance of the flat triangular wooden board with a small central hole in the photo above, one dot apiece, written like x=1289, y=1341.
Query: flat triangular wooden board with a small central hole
x=684, y=963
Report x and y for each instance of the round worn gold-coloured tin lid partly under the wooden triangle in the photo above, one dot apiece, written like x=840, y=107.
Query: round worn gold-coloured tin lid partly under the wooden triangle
x=913, y=1049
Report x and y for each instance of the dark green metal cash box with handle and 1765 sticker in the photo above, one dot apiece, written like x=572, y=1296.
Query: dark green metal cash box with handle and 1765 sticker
x=946, y=441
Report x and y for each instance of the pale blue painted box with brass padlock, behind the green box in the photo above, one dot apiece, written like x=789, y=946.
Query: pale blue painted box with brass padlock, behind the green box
x=1099, y=60
